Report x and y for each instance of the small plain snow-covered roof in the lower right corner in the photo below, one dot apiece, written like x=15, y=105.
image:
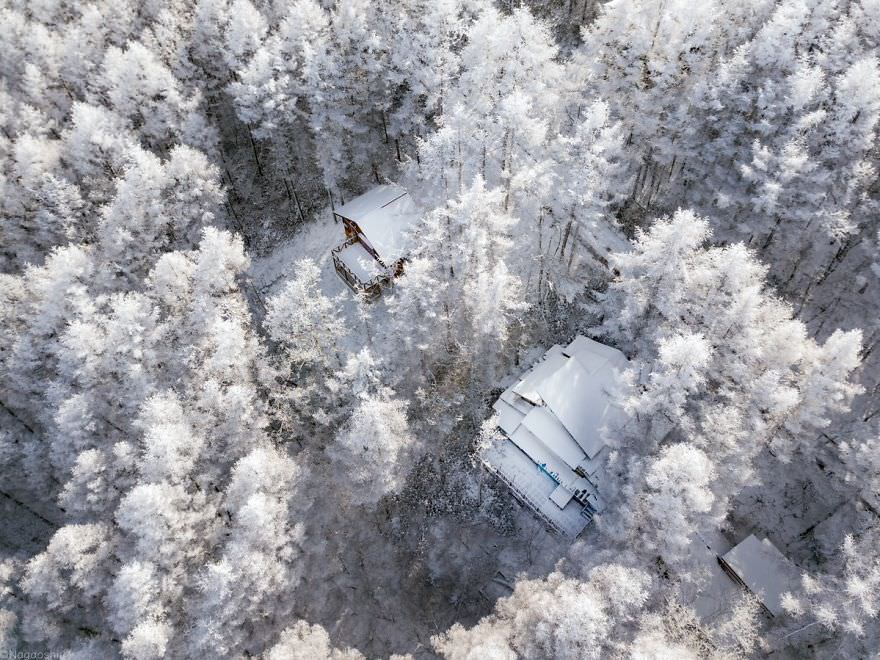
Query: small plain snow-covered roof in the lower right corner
x=764, y=570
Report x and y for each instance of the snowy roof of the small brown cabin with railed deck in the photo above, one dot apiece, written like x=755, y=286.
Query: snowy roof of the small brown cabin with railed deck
x=384, y=215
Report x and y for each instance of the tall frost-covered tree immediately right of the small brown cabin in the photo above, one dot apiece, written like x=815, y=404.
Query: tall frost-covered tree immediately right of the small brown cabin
x=464, y=284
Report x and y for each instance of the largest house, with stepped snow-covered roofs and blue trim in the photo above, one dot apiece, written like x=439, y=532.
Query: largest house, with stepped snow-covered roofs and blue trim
x=550, y=449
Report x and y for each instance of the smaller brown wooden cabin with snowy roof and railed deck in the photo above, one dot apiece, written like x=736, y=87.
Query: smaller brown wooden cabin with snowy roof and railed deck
x=377, y=226
